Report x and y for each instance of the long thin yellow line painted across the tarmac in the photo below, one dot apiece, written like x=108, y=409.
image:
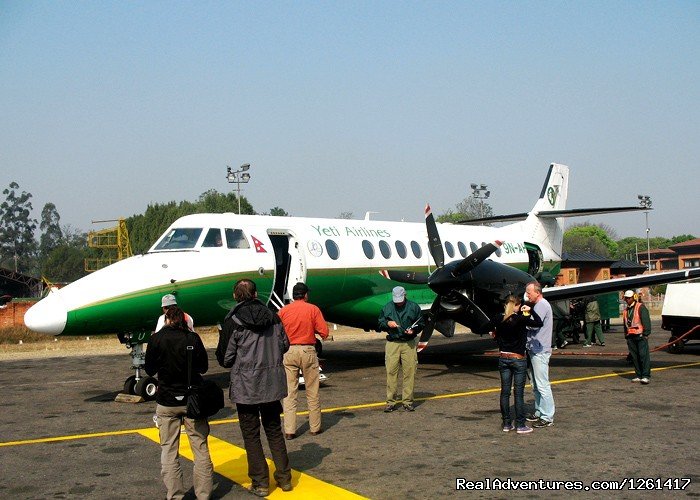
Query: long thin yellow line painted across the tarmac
x=74, y=437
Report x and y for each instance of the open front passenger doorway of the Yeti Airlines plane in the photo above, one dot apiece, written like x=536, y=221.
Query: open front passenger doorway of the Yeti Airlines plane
x=289, y=267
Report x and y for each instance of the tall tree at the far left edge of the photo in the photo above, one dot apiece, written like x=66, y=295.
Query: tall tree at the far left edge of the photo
x=18, y=248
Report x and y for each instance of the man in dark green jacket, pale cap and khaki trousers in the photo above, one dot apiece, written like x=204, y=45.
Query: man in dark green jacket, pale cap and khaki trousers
x=403, y=321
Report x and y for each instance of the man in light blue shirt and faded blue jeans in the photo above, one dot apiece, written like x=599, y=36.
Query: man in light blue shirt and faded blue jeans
x=539, y=350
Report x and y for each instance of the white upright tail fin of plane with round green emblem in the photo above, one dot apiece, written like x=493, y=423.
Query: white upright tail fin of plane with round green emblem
x=540, y=227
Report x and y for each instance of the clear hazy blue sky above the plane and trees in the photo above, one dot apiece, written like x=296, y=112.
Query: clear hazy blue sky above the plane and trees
x=109, y=106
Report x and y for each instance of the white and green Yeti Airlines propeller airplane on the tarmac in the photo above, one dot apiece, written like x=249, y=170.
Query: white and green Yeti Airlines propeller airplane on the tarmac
x=457, y=273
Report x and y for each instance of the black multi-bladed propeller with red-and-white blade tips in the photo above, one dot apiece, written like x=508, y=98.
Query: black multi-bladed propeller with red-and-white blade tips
x=447, y=281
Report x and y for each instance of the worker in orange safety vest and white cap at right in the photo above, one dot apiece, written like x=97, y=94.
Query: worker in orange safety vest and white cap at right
x=637, y=330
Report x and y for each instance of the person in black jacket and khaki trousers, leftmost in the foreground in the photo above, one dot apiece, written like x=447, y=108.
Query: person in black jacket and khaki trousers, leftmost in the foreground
x=166, y=355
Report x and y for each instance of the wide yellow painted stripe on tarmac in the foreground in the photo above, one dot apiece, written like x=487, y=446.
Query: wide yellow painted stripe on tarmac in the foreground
x=230, y=461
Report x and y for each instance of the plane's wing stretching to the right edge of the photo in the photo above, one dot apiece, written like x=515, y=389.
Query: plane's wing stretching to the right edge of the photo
x=595, y=287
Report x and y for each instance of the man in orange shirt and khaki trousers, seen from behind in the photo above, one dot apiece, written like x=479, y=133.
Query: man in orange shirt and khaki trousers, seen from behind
x=302, y=321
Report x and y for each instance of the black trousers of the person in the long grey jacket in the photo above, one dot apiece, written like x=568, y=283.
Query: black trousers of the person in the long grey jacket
x=249, y=418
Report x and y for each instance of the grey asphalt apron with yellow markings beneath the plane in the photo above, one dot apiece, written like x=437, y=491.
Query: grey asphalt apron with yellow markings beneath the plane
x=63, y=436
